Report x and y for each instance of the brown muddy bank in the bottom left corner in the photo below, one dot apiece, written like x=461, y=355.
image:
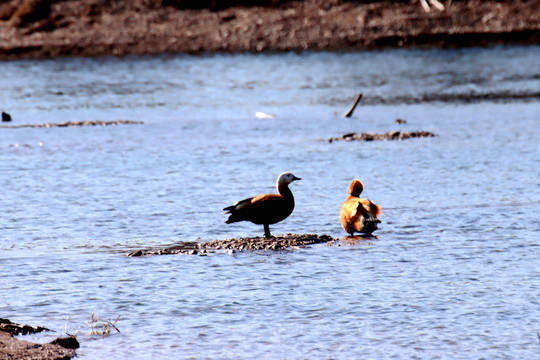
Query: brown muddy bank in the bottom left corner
x=12, y=348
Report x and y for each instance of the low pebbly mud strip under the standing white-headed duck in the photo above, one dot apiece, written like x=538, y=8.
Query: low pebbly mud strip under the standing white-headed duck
x=274, y=243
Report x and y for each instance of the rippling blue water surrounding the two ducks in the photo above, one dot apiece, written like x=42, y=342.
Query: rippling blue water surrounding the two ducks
x=453, y=272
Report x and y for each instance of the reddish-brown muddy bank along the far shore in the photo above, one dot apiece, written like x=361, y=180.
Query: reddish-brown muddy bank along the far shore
x=49, y=28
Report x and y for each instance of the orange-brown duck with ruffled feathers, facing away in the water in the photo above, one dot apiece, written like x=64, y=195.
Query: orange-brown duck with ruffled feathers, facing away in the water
x=357, y=214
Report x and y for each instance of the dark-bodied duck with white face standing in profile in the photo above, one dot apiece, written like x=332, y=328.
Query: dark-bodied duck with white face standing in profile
x=265, y=209
